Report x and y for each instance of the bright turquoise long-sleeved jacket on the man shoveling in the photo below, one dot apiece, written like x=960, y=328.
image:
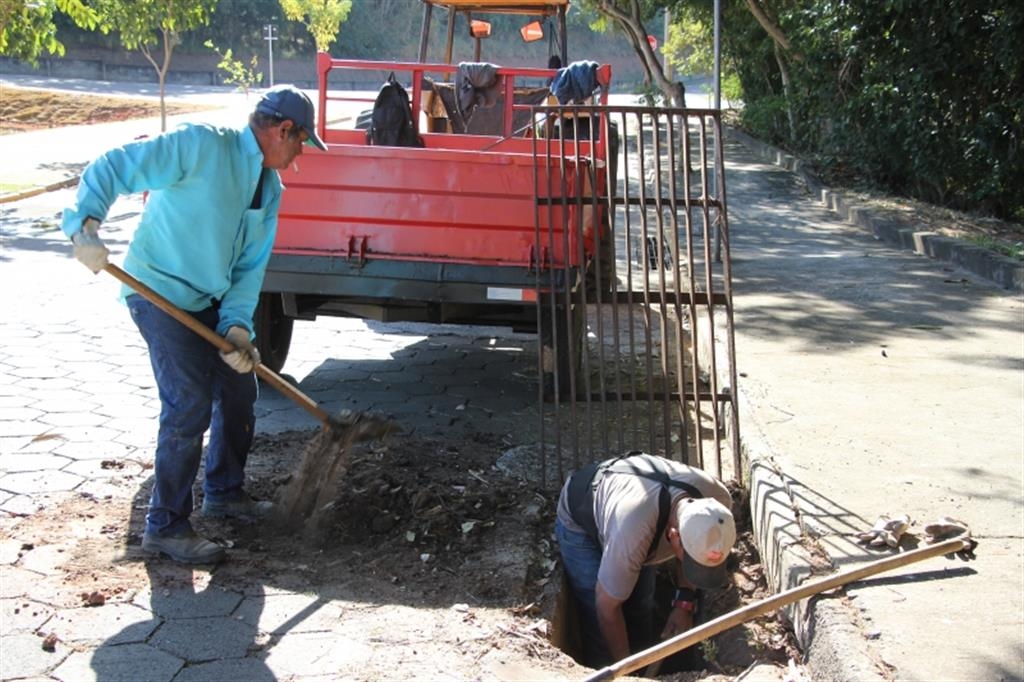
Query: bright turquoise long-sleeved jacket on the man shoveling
x=198, y=240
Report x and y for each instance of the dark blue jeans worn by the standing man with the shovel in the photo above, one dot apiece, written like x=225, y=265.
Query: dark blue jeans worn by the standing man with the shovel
x=198, y=391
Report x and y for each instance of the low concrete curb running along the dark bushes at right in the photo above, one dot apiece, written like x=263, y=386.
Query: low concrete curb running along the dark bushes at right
x=999, y=270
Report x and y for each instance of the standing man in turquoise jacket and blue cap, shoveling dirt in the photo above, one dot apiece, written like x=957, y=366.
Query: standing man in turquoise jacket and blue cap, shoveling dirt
x=203, y=243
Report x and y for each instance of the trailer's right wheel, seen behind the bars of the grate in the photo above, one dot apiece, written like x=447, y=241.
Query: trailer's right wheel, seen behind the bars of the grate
x=566, y=361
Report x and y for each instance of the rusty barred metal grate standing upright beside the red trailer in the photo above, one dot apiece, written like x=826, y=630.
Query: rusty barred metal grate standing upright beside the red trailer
x=636, y=350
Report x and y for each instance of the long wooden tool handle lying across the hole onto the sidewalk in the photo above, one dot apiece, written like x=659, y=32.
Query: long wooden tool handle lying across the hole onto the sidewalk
x=770, y=605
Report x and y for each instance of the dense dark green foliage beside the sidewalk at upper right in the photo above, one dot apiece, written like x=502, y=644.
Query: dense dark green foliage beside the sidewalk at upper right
x=920, y=98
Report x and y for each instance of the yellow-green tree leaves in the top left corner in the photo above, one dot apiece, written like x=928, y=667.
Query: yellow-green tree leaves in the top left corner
x=28, y=28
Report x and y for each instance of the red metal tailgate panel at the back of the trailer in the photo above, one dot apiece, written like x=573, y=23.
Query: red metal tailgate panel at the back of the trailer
x=424, y=204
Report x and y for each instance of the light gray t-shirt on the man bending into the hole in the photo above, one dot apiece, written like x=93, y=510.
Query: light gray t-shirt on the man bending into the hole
x=626, y=511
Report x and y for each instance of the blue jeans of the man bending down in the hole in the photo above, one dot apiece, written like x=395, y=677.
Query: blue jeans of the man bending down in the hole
x=581, y=561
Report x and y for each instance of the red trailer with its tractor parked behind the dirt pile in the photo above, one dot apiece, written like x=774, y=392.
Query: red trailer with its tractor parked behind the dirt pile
x=459, y=230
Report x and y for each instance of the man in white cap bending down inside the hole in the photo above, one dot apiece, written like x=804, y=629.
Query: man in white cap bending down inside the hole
x=618, y=521
